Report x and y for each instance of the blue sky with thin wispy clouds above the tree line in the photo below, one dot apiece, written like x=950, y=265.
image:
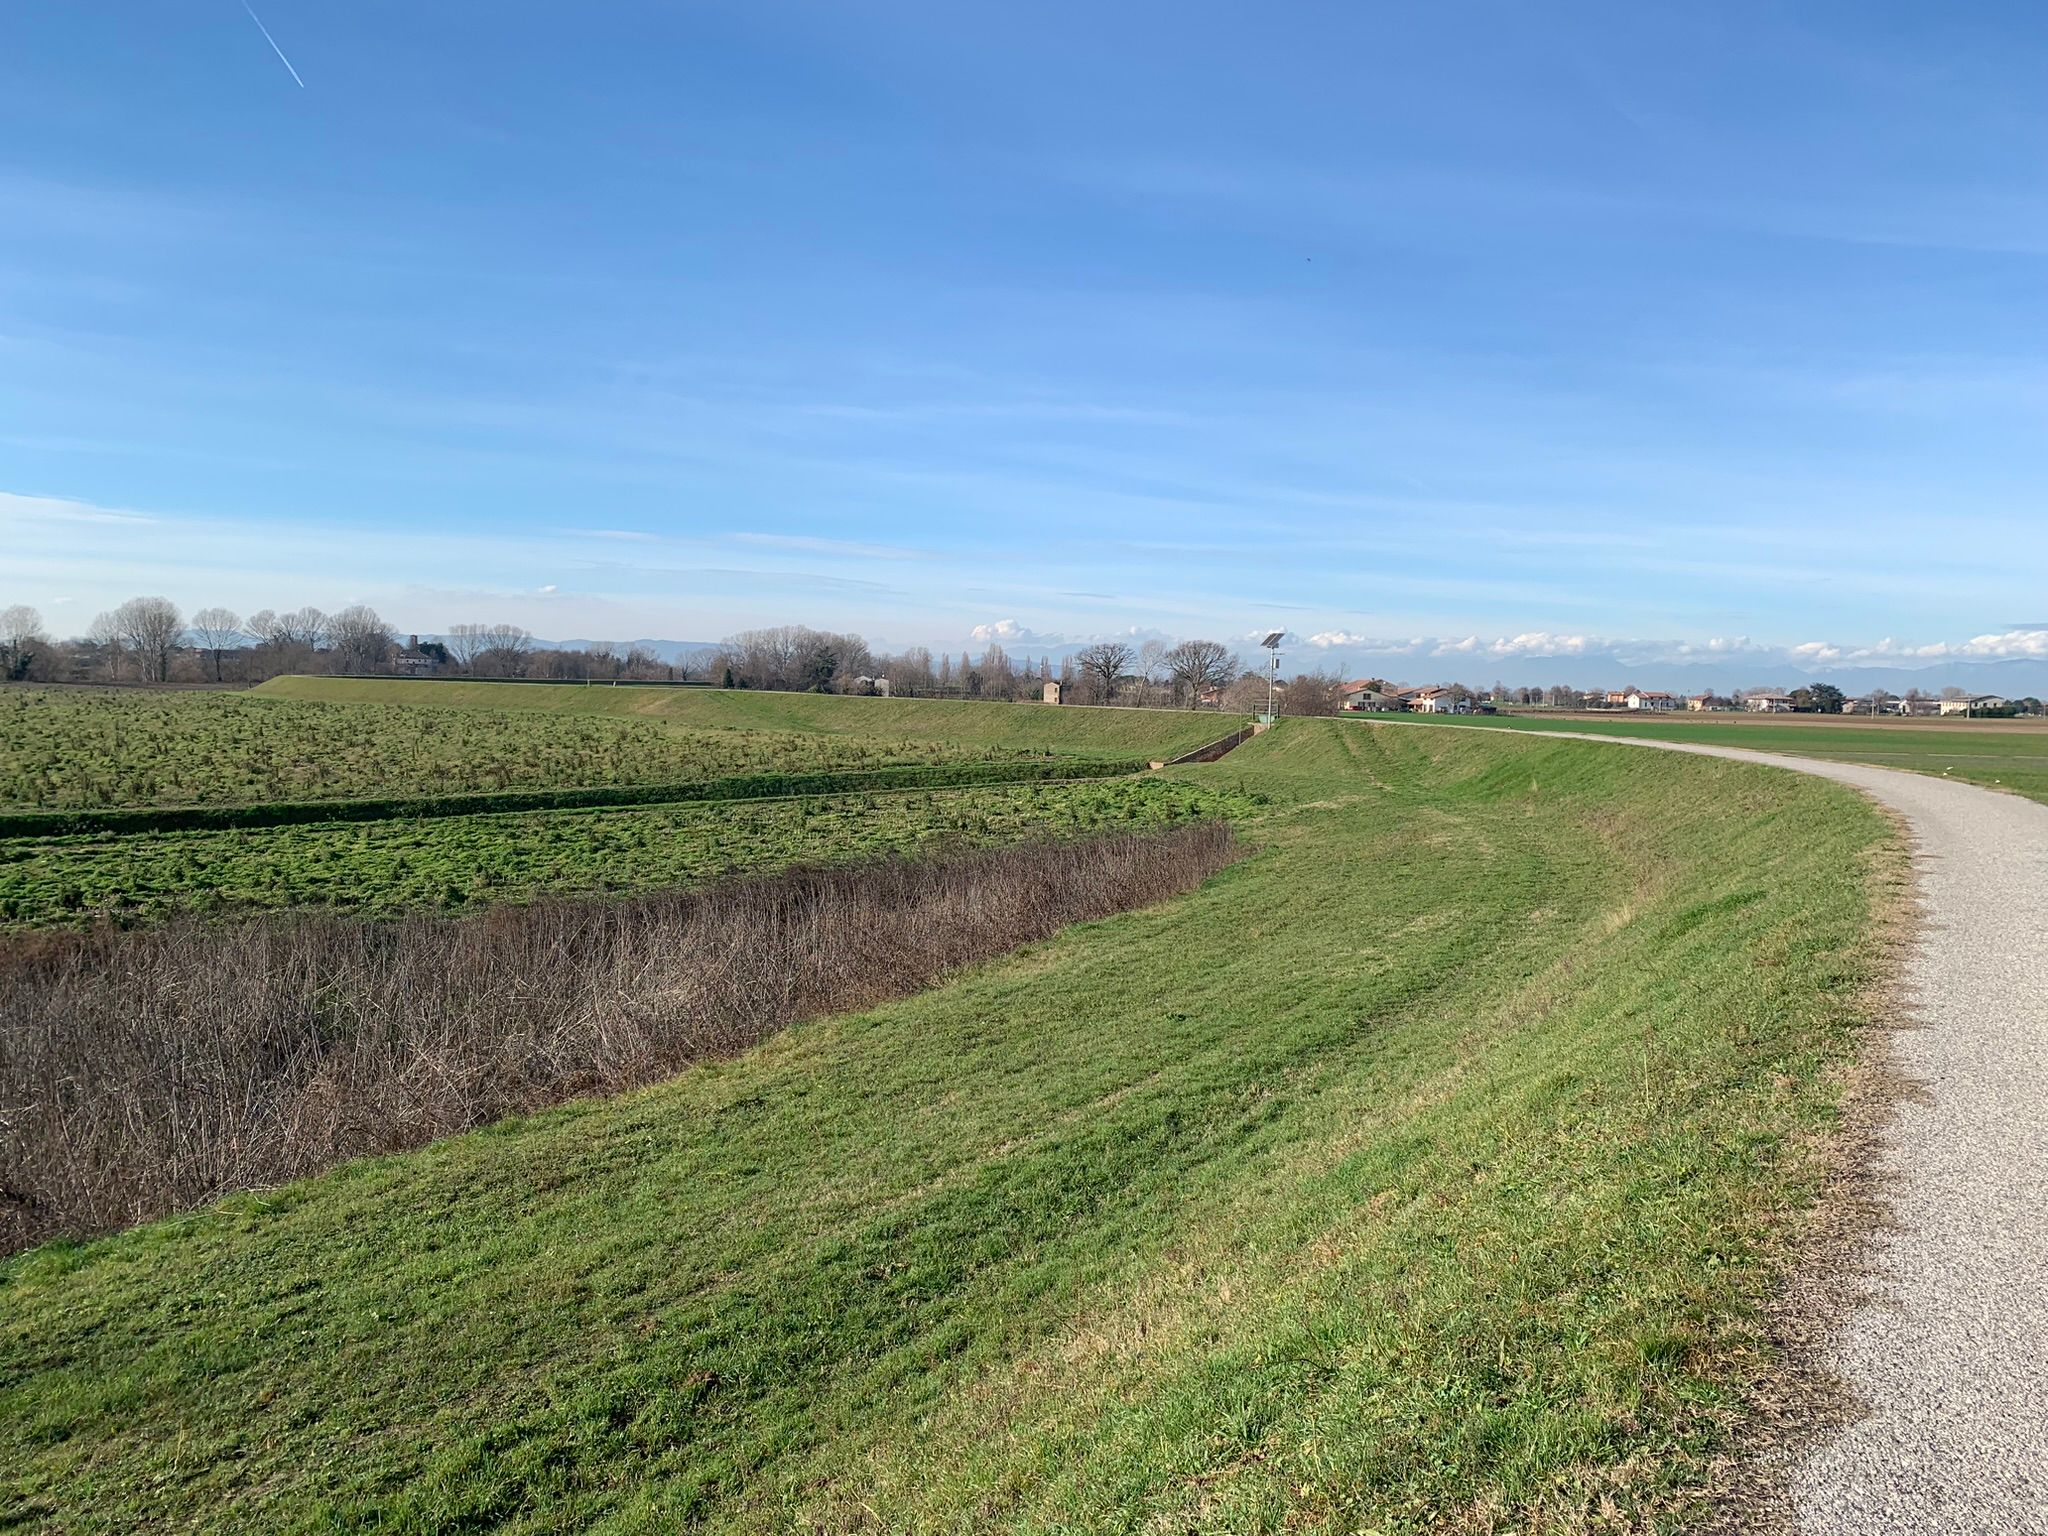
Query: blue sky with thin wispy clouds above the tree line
x=1582, y=331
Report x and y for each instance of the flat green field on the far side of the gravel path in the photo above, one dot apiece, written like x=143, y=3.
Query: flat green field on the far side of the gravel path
x=1998, y=755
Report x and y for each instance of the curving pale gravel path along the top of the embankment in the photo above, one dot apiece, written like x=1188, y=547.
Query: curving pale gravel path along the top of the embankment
x=1949, y=1351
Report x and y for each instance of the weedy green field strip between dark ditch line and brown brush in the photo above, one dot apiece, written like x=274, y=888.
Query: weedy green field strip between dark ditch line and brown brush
x=460, y=863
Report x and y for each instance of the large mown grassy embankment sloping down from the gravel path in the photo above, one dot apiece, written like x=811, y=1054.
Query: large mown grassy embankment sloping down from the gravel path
x=1422, y=1172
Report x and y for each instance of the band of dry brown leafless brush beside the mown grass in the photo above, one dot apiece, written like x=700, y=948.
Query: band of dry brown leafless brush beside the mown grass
x=151, y=1072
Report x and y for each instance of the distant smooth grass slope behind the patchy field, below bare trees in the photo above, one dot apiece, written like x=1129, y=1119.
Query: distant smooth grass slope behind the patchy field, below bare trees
x=959, y=724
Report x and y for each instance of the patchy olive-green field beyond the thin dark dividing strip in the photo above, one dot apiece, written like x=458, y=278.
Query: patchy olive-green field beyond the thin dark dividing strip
x=69, y=749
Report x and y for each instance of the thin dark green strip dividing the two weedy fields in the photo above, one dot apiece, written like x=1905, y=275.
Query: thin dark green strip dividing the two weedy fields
x=742, y=787
